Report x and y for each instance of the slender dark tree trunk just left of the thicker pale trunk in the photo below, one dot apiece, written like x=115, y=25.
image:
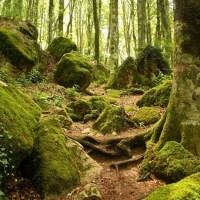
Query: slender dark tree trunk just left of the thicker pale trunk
x=96, y=28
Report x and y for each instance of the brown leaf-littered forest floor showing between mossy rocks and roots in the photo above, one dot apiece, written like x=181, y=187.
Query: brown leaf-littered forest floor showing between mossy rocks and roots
x=114, y=184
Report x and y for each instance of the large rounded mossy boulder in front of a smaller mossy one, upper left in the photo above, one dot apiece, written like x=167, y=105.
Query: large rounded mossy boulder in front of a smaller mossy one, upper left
x=74, y=70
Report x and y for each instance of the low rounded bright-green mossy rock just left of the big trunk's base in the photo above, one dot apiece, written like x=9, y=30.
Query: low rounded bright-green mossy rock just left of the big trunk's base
x=146, y=115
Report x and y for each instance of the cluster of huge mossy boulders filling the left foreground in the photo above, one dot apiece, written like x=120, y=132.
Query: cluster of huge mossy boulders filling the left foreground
x=39, y=148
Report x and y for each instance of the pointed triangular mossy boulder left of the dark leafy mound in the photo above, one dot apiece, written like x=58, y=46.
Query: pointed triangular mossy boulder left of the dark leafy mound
x=126, y=76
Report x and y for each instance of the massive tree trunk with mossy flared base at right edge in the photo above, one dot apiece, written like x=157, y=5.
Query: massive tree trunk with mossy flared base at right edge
x=182, y=120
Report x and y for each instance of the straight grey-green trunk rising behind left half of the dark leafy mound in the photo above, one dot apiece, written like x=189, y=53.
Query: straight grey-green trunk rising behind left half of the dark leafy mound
x=141, y=11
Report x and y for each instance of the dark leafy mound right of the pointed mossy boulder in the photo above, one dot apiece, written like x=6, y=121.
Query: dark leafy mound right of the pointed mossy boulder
x=151, y=61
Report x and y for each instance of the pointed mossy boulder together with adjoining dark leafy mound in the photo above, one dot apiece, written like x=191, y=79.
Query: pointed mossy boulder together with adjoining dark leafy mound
x=140, y=72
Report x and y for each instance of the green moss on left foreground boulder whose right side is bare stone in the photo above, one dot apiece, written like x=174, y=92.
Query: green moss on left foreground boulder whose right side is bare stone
x=50, y=166
